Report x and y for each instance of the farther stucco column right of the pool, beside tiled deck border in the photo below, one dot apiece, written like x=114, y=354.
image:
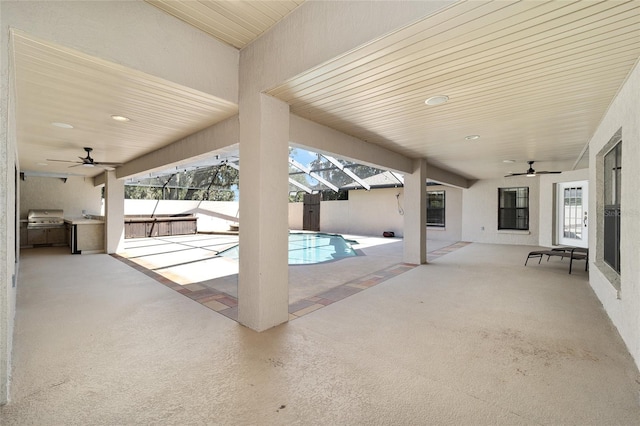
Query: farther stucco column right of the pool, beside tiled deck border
x=415, y=214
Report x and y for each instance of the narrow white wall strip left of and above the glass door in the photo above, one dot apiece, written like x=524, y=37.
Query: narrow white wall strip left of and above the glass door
x=548, y=210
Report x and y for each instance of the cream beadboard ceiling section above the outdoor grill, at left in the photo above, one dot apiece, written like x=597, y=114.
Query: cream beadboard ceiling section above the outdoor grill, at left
x=58, y=84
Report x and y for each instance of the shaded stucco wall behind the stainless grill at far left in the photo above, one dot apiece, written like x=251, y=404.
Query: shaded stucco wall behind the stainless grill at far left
x=74, y=196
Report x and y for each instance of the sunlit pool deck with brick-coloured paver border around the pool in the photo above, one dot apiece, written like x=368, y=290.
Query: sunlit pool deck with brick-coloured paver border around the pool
x=191, y=265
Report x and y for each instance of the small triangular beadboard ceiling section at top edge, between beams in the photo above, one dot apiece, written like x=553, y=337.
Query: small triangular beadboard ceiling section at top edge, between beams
x=237, y=22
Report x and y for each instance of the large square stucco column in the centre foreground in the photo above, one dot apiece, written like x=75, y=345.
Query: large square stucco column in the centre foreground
x=263, y=281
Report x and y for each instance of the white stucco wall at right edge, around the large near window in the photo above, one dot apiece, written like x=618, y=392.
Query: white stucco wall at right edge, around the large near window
x=623, y=305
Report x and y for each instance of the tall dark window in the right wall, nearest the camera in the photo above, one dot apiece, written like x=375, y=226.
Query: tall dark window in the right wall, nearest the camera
x=612, y=190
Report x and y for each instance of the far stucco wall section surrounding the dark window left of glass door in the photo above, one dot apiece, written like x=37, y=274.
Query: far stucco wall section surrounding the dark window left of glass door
x=480, y=212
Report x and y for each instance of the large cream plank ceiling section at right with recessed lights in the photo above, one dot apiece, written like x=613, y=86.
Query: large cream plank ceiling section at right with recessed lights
x=532, y=79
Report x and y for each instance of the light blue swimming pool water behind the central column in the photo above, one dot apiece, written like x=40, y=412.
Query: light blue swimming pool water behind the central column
x=308, y=248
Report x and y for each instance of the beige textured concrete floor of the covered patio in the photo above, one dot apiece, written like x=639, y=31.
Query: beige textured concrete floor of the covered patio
x=472, y=338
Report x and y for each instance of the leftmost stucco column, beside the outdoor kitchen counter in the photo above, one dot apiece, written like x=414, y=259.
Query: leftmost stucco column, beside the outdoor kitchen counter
x=113, y=212
